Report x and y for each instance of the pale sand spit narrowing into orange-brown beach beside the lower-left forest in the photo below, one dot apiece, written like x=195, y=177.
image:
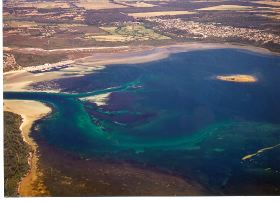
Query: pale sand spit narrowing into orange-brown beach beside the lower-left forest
x=25, y=108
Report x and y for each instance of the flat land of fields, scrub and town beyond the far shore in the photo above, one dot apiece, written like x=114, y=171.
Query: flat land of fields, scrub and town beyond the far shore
x=57, y=28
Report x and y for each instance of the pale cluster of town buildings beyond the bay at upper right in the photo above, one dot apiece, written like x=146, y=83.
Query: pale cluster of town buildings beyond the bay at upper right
x=212, y=30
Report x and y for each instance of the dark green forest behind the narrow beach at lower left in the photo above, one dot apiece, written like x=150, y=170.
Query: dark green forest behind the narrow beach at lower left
x=15, y=153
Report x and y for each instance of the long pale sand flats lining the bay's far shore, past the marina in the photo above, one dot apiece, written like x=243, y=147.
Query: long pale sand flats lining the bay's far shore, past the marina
x=20, y=80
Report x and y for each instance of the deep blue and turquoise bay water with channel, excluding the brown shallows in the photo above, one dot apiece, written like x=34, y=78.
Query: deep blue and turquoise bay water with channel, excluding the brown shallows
x=175, y=116
